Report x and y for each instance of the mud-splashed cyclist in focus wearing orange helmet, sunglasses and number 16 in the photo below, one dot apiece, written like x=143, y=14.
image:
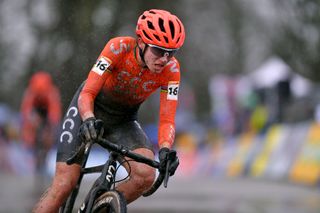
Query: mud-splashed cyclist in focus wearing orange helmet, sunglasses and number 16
x=126, y=72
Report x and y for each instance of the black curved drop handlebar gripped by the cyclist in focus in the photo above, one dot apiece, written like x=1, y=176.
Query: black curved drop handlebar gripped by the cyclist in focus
x=163, y=177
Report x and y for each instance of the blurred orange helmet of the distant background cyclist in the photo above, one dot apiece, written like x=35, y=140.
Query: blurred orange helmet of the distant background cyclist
x=40, y=82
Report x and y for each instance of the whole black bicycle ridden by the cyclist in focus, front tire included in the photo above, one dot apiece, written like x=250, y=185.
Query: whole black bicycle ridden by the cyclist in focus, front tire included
x=102, y=197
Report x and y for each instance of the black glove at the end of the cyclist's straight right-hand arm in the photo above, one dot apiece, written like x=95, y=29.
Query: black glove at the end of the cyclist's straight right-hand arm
x=166, y=155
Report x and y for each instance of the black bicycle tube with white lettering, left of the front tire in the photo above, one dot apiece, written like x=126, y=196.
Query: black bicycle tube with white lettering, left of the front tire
x=102, y=184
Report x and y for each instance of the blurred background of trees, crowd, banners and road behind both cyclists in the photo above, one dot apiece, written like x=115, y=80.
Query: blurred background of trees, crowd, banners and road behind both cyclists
x=248, y=122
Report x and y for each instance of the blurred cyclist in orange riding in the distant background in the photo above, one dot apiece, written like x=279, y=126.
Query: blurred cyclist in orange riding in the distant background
x=40, y=109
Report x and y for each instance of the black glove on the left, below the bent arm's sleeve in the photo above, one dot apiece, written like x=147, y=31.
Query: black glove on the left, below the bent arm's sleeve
x=90, y=129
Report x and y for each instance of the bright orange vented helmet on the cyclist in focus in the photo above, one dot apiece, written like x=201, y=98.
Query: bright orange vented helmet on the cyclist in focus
x=161, y=28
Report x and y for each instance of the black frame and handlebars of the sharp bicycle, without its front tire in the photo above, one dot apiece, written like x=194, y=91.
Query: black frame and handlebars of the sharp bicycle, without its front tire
x=108, y=172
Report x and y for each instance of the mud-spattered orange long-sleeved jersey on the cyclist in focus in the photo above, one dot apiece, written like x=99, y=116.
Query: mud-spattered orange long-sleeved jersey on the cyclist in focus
x=119, y=77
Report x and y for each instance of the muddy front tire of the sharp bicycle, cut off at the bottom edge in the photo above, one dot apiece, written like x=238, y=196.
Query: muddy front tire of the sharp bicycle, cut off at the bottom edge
x=110, y=202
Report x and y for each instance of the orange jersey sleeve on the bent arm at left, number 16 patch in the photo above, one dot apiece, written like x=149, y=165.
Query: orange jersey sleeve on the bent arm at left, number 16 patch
x=100, y=71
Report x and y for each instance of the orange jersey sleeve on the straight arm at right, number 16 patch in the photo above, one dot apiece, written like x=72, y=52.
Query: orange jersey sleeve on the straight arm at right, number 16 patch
x=168, y=104
